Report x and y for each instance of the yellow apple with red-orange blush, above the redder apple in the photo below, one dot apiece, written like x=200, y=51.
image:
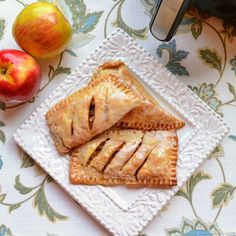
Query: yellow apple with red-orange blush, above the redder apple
x=42, y=30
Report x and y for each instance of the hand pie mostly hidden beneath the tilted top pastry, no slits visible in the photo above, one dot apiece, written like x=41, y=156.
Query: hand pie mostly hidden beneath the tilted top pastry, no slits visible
x=149, y=115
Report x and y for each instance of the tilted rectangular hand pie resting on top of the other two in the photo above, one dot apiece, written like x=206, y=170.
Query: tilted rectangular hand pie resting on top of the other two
x=89, y=112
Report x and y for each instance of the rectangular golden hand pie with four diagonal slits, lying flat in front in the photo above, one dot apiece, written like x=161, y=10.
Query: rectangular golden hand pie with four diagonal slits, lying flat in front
x=127, y=157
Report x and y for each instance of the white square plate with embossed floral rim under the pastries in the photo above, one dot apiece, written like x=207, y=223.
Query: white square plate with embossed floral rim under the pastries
x=203, y=131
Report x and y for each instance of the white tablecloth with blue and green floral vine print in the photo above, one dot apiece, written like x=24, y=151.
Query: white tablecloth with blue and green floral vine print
x=202, y=55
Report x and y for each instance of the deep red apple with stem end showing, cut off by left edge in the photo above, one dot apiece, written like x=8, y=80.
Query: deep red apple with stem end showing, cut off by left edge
x=20, y=76
